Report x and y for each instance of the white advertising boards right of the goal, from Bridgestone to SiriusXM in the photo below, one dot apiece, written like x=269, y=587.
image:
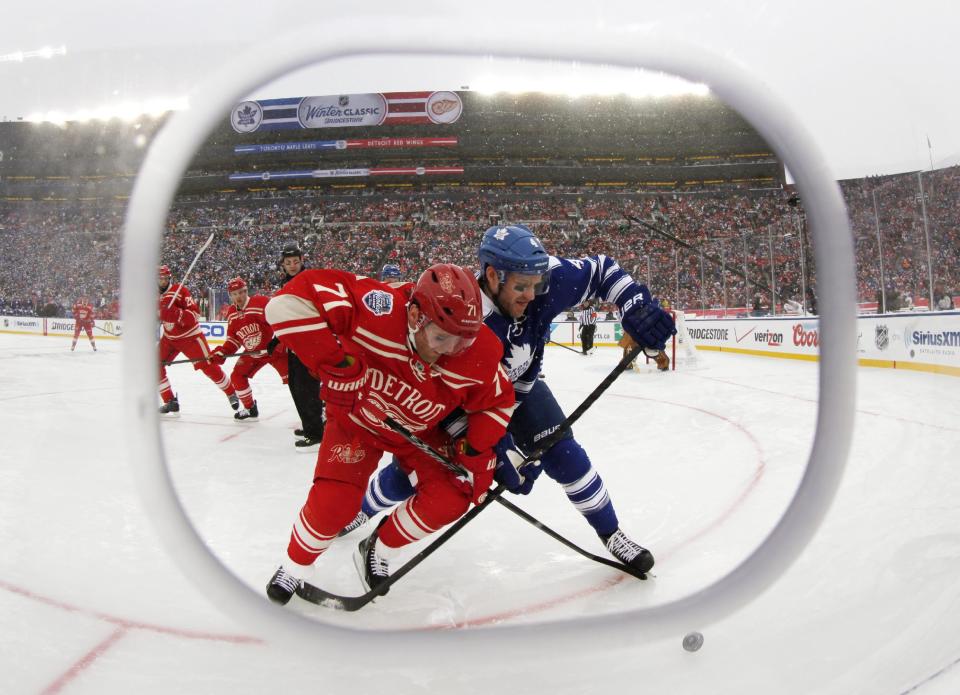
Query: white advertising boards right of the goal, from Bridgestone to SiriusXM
x=916, y=340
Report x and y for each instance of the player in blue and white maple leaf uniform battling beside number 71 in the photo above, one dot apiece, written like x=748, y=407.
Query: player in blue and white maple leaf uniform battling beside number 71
x=524, y=288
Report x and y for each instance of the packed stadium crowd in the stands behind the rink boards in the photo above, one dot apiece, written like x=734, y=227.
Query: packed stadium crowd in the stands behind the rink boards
x=700, y=250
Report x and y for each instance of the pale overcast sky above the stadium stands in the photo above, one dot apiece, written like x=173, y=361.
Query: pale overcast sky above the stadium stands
x=871, y=81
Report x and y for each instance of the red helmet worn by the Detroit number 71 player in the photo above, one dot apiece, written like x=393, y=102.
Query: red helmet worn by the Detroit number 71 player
x=449, y=296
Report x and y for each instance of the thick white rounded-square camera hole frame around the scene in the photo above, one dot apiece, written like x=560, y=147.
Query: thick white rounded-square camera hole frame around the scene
x=157, y=182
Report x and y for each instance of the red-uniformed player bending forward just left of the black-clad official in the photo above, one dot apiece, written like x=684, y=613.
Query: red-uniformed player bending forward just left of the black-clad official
x=247, y=328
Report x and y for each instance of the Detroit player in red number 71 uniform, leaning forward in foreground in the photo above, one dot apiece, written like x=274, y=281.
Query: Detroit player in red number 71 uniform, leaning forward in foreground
x=413, y=353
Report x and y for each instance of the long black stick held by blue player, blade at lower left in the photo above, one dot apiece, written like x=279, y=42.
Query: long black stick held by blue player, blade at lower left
x=315, y=594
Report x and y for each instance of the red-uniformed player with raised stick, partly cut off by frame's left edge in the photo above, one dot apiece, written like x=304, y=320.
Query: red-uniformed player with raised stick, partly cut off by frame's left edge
x=181, y=333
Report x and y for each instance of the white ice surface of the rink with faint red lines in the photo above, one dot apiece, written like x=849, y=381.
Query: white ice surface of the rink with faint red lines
x=700, y=465
